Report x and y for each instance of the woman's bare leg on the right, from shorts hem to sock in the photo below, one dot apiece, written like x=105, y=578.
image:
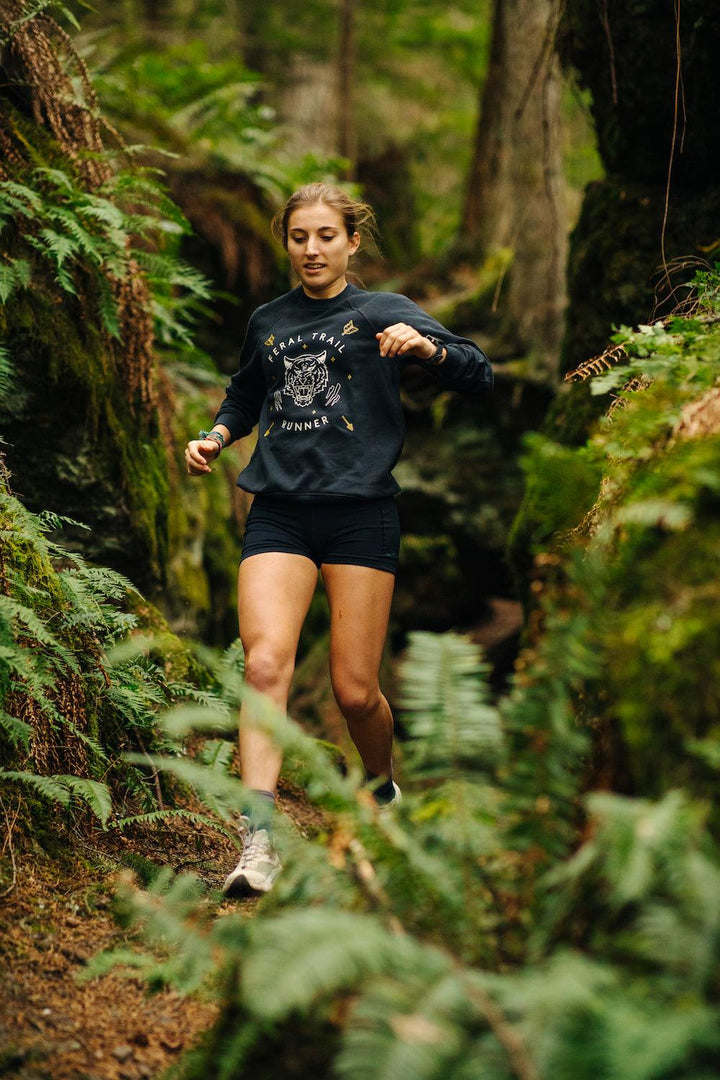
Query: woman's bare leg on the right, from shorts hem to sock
x=360, y=599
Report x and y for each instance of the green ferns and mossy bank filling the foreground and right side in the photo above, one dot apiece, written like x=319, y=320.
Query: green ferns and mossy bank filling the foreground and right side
x=546, y=901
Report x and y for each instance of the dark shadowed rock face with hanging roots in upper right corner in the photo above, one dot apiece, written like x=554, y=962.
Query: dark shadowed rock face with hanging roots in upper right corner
x=657, y=113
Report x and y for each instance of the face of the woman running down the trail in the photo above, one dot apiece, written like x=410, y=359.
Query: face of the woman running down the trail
x=320, y=249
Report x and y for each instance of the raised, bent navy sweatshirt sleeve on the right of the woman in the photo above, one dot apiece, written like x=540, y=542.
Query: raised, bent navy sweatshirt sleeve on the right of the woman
x=466, y=369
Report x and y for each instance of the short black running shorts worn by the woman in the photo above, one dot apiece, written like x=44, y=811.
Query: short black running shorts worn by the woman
x=355, y=532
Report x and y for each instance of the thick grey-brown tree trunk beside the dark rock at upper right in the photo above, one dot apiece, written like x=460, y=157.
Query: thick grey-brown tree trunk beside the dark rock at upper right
x=514, y=211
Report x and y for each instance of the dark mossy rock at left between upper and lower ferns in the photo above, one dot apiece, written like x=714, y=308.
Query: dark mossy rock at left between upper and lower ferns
x=100, y=464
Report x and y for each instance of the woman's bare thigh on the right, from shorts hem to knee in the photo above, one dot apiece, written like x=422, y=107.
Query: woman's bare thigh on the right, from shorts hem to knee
x=360, y=599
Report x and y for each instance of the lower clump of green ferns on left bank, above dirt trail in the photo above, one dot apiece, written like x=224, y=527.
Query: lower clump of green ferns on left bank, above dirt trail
x=74, y=691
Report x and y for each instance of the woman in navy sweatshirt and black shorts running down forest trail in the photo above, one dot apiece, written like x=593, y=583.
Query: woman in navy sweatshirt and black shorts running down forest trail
x=320, y=373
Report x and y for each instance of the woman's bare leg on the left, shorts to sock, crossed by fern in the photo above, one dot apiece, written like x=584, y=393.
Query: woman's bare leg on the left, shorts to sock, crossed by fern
x=275, y=590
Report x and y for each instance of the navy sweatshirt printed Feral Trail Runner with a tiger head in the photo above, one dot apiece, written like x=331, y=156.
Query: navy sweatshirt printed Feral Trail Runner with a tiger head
x=328, y=404
